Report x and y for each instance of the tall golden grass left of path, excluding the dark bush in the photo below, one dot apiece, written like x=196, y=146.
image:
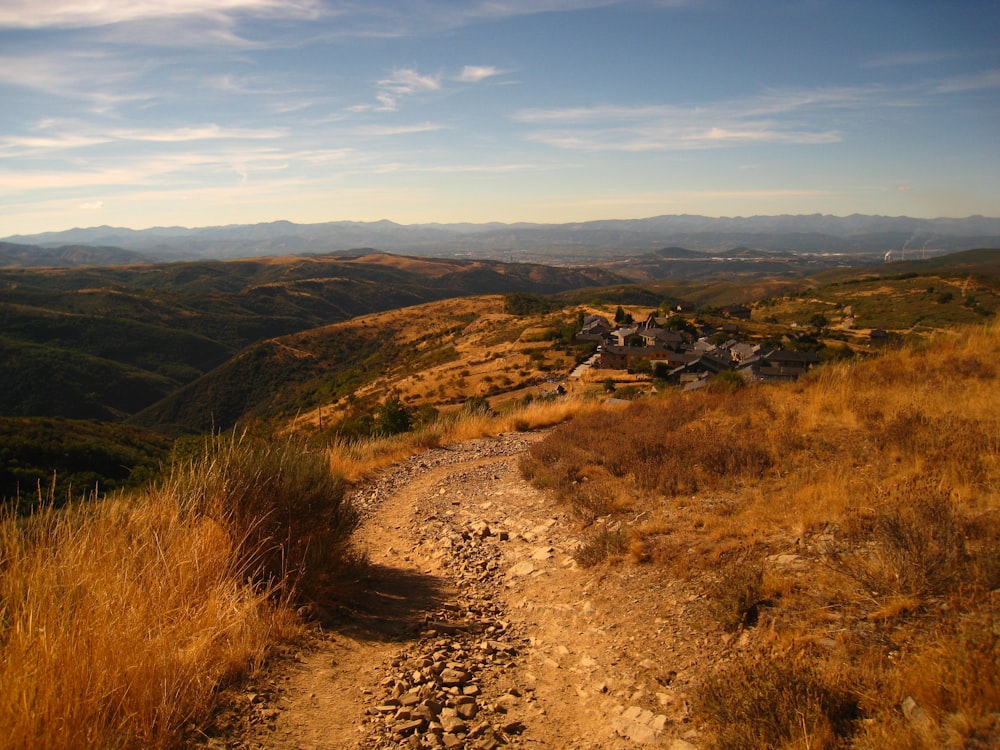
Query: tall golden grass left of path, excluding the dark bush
x=119, y=622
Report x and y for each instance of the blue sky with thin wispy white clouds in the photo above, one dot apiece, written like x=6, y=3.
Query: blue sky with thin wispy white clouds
x=142, y=113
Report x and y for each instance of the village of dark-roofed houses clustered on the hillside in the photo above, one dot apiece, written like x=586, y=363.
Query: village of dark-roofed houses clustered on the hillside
x=688, y=359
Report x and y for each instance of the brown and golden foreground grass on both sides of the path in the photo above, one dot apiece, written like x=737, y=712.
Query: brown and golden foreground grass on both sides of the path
x=849, y=523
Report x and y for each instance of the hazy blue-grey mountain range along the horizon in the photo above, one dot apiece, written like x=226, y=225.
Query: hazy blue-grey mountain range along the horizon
x=553, y=243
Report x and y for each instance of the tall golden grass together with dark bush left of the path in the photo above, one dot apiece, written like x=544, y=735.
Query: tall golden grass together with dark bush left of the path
x=119, y=619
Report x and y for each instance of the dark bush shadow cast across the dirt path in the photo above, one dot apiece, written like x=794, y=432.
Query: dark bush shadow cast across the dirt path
x=388, y=604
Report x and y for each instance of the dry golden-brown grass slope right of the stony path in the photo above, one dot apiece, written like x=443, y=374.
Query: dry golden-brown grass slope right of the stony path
x=857, y=512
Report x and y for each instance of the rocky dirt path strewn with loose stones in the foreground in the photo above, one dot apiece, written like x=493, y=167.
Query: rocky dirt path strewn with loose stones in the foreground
x=475, y=628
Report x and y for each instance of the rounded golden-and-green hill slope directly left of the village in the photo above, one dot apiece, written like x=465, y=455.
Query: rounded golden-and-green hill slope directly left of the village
x=438, y=353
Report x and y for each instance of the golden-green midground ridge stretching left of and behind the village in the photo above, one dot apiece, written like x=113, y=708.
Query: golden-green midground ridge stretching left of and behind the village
x=439, y=354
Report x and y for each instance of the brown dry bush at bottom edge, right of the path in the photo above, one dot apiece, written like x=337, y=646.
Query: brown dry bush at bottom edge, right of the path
x=771, y=701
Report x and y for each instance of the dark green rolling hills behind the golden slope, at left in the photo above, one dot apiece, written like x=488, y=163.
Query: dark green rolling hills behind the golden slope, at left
x=107, y=342
